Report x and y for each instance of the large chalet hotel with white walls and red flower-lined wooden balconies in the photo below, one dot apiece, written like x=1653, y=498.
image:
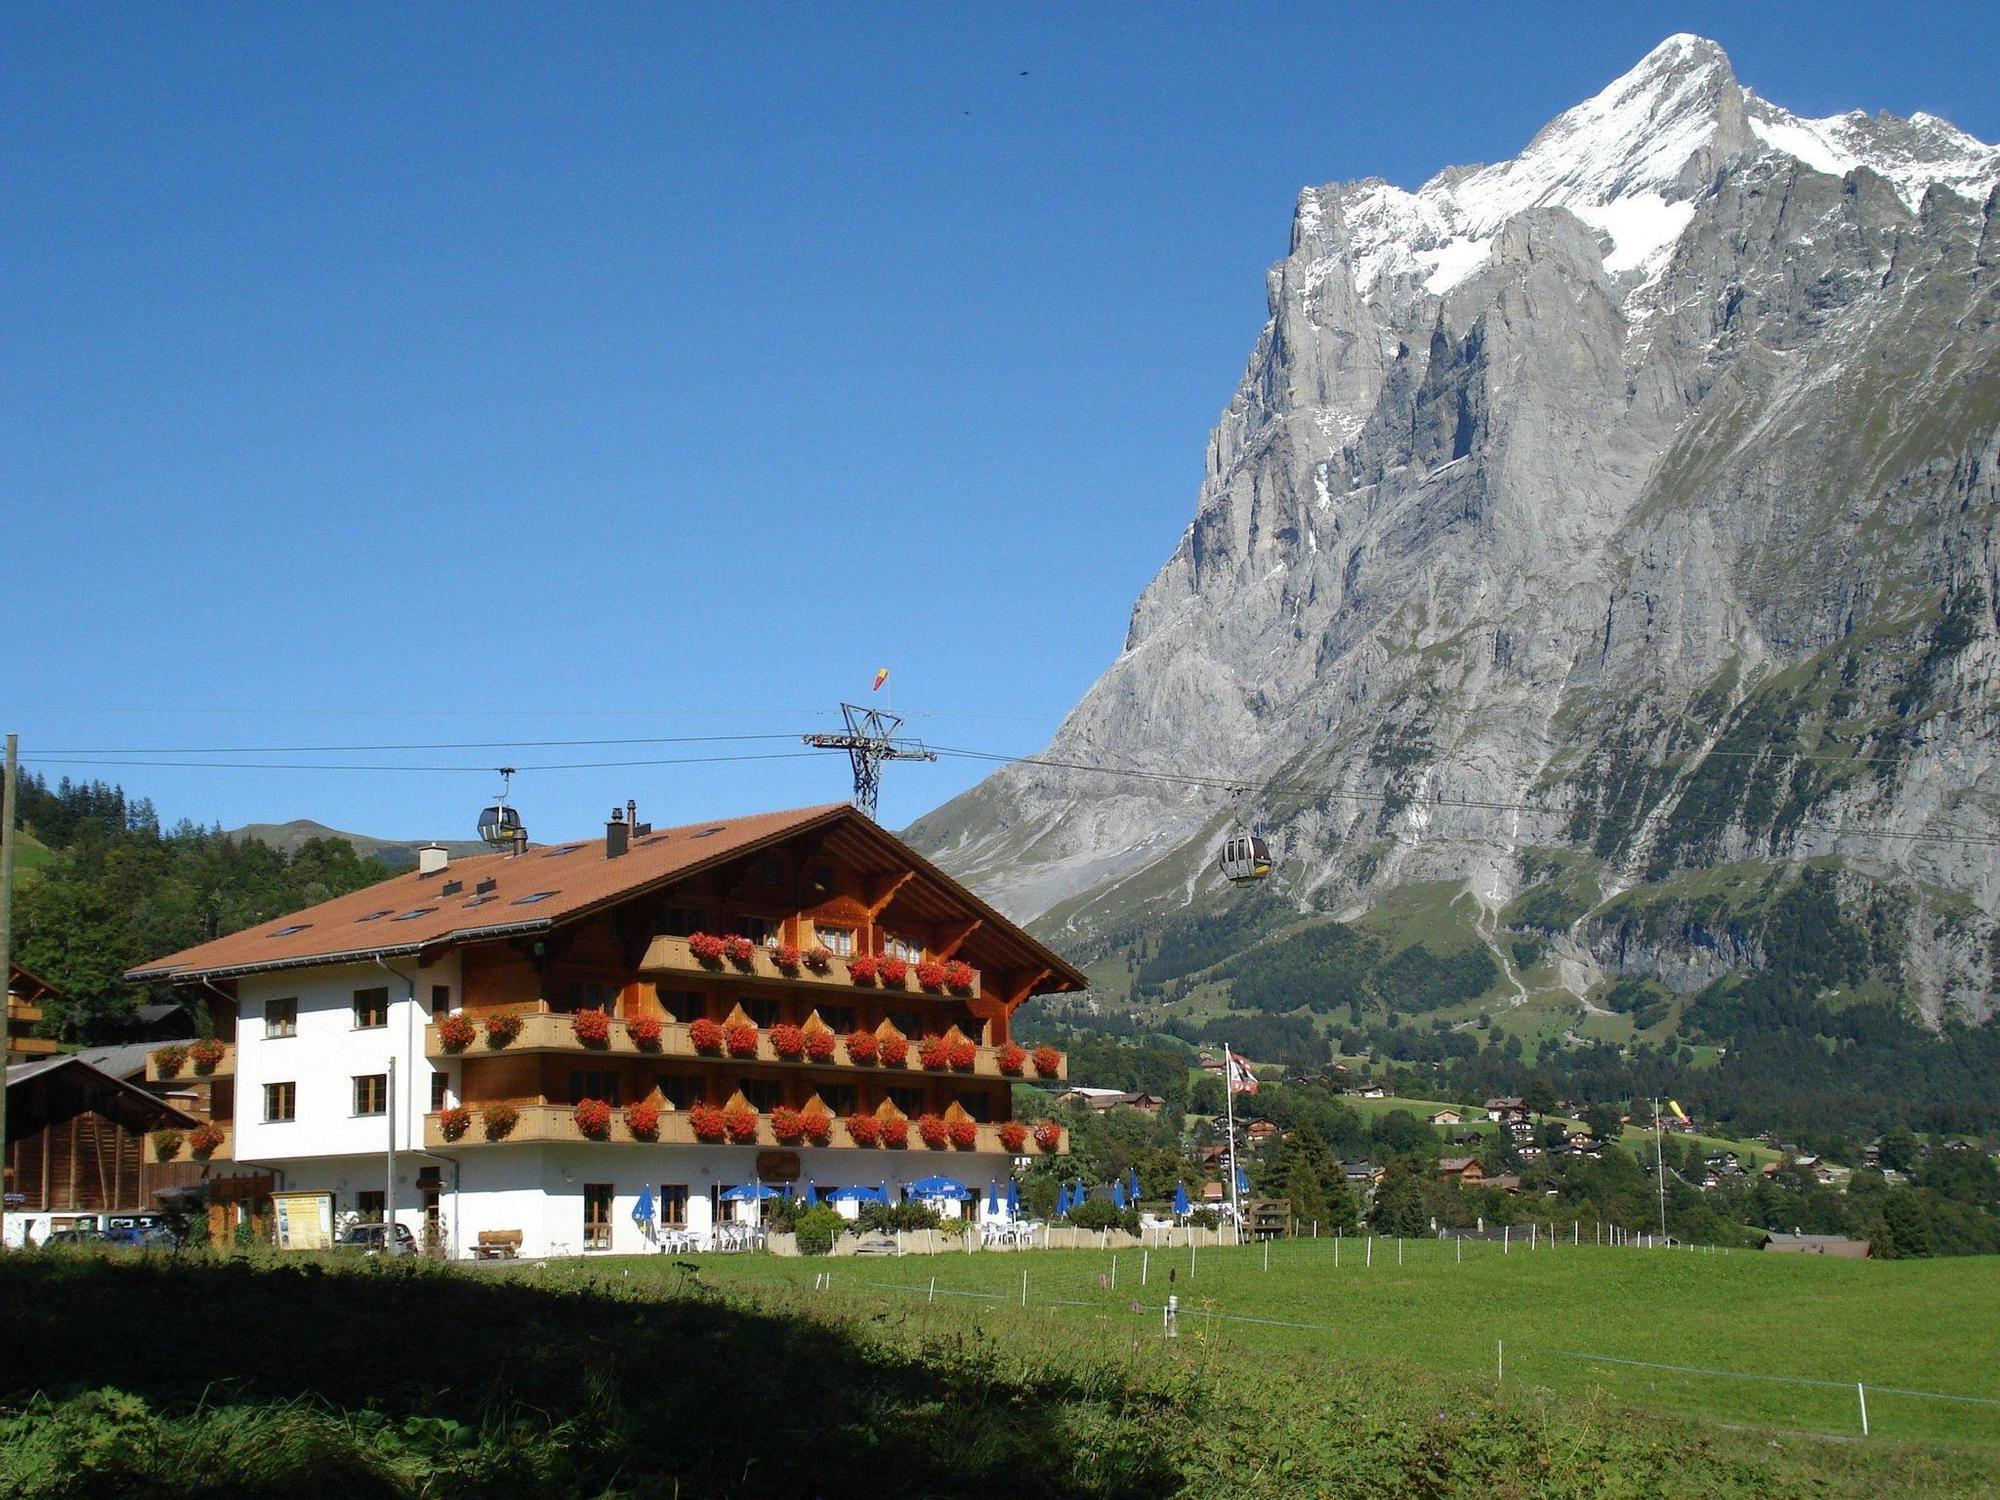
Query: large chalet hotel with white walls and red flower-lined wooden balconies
x=545, y=1035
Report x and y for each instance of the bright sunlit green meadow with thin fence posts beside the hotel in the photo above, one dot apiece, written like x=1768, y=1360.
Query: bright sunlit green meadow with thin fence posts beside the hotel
x=1899, y=1327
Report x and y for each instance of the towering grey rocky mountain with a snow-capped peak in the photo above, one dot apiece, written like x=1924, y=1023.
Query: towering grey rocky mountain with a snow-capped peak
x=1627, y=507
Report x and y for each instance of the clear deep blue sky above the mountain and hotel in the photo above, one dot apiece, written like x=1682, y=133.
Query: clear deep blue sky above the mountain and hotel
x=411, y=375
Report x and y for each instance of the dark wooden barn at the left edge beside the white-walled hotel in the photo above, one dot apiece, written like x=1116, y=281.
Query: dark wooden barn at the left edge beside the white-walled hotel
x=77, y=1145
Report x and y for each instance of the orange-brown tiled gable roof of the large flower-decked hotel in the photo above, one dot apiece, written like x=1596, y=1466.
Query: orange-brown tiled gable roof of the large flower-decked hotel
x=531, y=893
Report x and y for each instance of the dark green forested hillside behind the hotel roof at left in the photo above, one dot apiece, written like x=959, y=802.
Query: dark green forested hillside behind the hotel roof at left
x=119, y=889
